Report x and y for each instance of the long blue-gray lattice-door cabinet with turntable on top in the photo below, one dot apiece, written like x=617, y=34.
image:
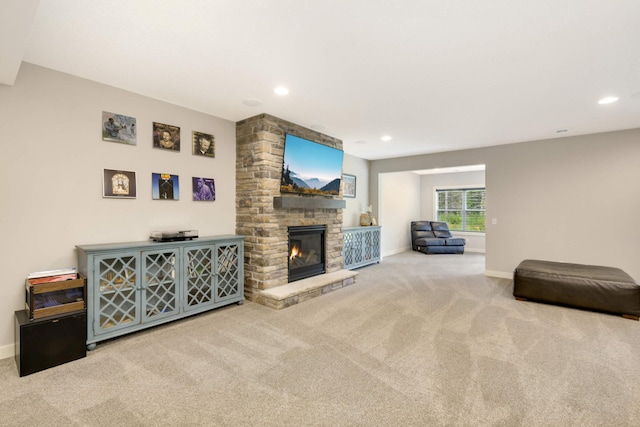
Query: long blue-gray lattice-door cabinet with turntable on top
x=136, y=285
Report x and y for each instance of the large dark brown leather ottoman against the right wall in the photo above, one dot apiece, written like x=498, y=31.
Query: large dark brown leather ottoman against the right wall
x=592, y=287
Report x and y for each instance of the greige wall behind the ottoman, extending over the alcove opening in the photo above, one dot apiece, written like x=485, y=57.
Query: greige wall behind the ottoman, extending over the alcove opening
x=572, y=199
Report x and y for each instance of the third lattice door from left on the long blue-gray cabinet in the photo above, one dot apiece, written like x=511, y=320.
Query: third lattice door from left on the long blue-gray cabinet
x=199, y=279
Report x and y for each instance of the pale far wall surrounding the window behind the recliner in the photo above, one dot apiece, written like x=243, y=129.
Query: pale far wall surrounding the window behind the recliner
x=431, y=182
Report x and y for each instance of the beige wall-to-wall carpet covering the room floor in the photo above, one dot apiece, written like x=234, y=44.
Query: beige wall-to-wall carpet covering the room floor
x=419, y=340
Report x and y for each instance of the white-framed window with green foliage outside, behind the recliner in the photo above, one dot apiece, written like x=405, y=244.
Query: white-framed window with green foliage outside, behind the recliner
x=462, y=208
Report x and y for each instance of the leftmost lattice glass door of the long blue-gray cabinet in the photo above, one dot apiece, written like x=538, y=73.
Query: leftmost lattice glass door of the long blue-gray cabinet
x=116, y=299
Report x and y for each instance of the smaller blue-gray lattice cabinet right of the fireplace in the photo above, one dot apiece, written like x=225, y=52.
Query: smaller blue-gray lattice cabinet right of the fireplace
x=361, y=246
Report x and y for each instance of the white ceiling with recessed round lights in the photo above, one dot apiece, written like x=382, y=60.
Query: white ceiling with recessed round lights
x=436, y=75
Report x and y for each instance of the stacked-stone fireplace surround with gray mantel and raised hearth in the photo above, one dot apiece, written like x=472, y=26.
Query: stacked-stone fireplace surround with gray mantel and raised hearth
x=265, y=216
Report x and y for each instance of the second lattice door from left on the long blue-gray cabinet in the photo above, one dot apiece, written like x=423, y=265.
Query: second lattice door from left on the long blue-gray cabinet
x=160, y=288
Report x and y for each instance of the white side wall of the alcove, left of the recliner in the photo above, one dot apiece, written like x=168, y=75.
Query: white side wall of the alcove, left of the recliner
x=399, y=195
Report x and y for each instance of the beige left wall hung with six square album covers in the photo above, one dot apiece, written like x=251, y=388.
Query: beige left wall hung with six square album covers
x=51, y=168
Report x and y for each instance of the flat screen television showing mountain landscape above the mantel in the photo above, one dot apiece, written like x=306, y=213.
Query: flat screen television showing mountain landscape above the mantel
x=310, y=168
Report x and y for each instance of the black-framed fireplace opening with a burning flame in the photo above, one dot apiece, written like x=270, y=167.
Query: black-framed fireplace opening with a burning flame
x=306, y=251
